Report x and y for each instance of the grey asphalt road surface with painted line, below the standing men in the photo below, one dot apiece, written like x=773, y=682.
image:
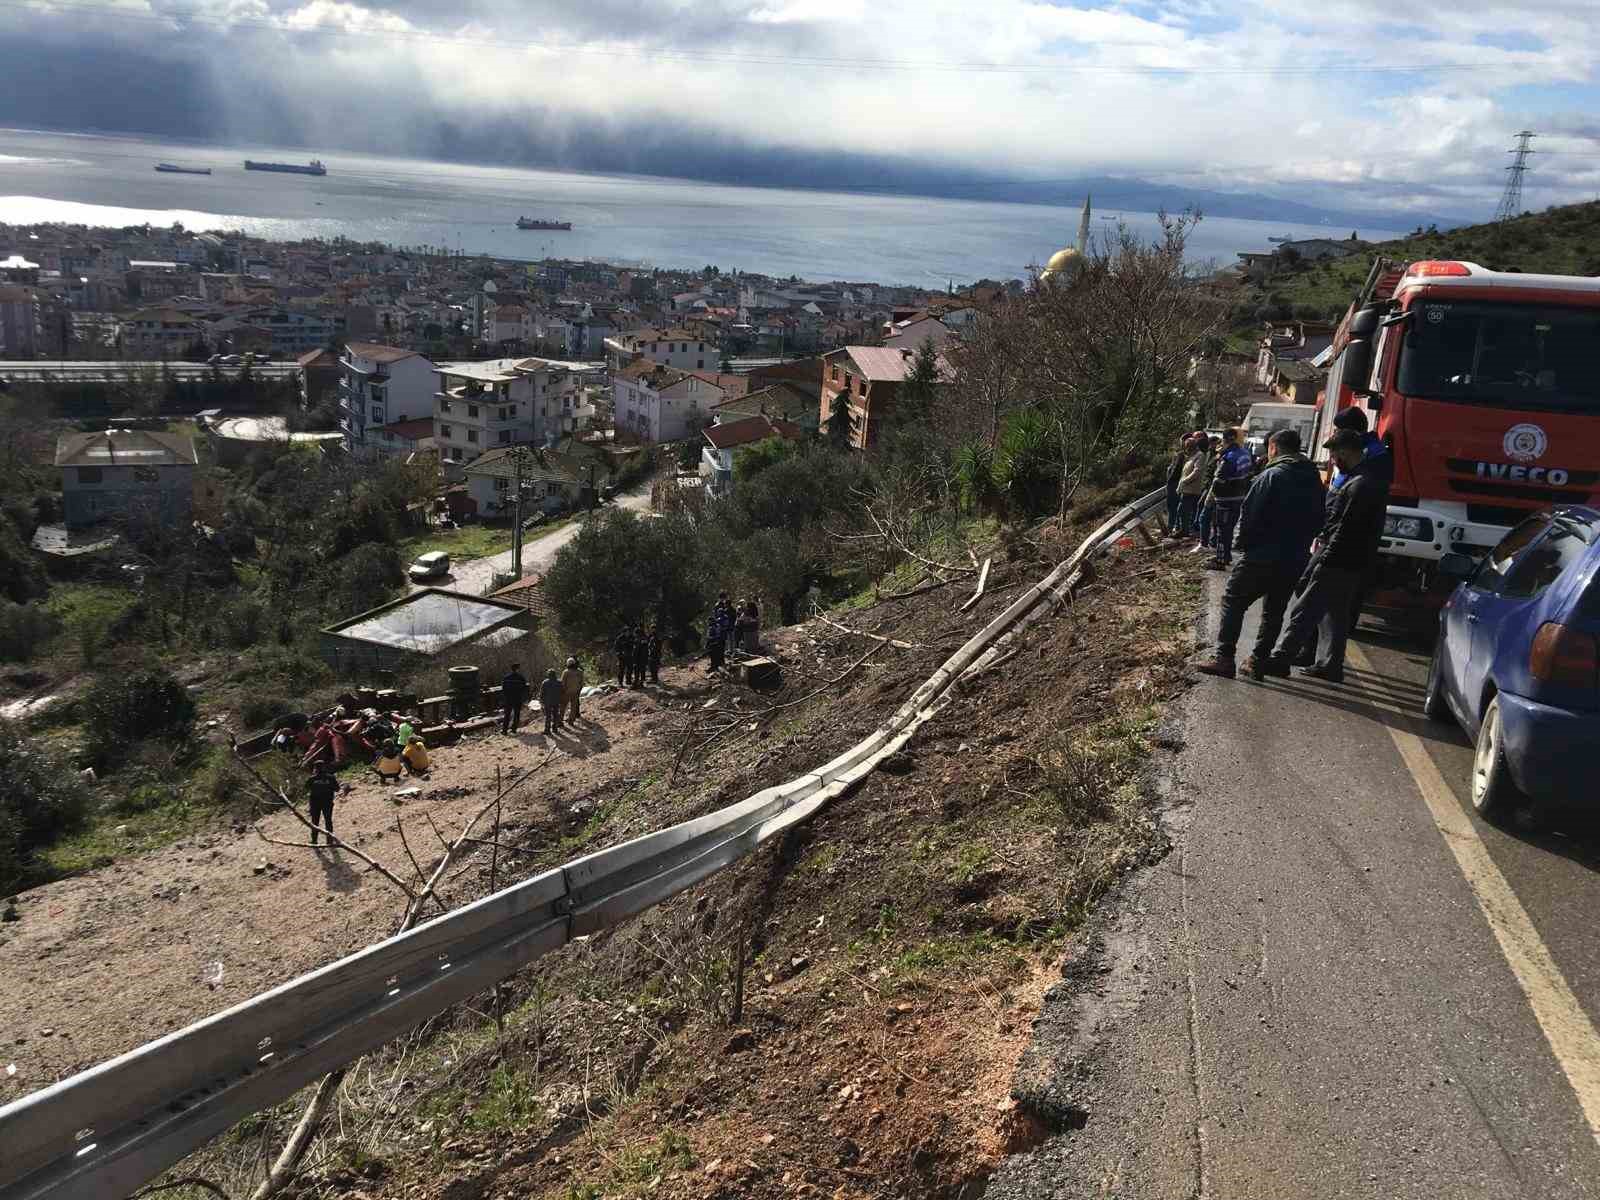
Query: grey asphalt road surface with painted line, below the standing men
x=1338, y=983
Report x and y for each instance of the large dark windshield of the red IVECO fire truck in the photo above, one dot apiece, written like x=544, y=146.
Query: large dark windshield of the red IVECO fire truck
x=1518, y=356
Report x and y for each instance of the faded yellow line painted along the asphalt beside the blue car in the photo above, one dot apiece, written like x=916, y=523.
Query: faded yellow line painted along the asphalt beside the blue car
x=1566, y=1025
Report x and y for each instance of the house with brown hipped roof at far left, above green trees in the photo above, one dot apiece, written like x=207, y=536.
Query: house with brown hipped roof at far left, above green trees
x=127, y=474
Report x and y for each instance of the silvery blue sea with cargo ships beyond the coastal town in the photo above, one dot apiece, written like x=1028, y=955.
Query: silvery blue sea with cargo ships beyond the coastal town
x=100, y=180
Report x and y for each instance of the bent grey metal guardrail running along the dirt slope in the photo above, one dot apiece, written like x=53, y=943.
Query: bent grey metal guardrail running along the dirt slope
x=114, y=1127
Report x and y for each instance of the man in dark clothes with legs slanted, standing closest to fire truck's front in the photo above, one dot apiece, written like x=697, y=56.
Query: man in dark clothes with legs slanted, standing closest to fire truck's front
x=1353, y=527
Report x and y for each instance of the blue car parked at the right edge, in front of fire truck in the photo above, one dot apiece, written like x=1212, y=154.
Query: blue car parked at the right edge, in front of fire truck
x=1518, y=663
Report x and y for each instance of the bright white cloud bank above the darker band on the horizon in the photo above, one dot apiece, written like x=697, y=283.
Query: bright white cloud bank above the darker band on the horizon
x=1238, y=95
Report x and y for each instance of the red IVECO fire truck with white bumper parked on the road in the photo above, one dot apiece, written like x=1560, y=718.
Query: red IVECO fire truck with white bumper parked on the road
x=1486, y=386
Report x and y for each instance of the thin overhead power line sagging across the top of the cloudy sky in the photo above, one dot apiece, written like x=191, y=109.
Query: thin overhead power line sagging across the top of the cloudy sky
x=428, y=38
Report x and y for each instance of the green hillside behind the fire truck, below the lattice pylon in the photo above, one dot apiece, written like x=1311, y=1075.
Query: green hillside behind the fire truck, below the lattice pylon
x=1559, y=241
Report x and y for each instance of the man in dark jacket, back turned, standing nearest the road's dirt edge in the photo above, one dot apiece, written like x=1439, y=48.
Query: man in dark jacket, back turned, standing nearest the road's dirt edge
x=1279, y=518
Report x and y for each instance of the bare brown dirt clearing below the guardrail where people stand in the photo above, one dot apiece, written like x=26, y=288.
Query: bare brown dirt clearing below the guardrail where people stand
x=105, y=962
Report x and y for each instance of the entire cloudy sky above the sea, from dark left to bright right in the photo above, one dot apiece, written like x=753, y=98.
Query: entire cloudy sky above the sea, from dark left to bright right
x=1338, y=103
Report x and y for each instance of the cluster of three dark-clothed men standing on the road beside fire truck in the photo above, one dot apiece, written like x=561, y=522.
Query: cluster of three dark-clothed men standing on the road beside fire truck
x=1306, y=546
